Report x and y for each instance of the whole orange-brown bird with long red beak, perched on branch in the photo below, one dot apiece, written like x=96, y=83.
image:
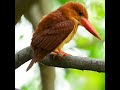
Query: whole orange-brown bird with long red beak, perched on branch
x=58, y=28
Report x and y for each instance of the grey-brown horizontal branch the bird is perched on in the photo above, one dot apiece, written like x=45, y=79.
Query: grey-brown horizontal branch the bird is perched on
x=75, y=62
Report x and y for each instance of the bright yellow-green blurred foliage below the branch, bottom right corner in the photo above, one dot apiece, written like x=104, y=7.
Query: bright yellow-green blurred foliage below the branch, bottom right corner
x=85, y=80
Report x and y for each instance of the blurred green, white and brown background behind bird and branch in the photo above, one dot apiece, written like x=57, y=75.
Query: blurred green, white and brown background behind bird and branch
x=83, y=44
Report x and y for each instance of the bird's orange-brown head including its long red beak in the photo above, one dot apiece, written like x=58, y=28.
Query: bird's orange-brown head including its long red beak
x=78, y=12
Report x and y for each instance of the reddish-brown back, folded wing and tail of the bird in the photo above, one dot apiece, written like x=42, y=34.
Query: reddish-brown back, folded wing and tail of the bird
x=49, y=34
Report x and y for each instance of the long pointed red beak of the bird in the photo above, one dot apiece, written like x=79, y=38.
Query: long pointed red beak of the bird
x=89, y=27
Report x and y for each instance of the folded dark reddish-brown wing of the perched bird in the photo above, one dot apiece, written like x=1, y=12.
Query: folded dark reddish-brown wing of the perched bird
x=52, y=37
